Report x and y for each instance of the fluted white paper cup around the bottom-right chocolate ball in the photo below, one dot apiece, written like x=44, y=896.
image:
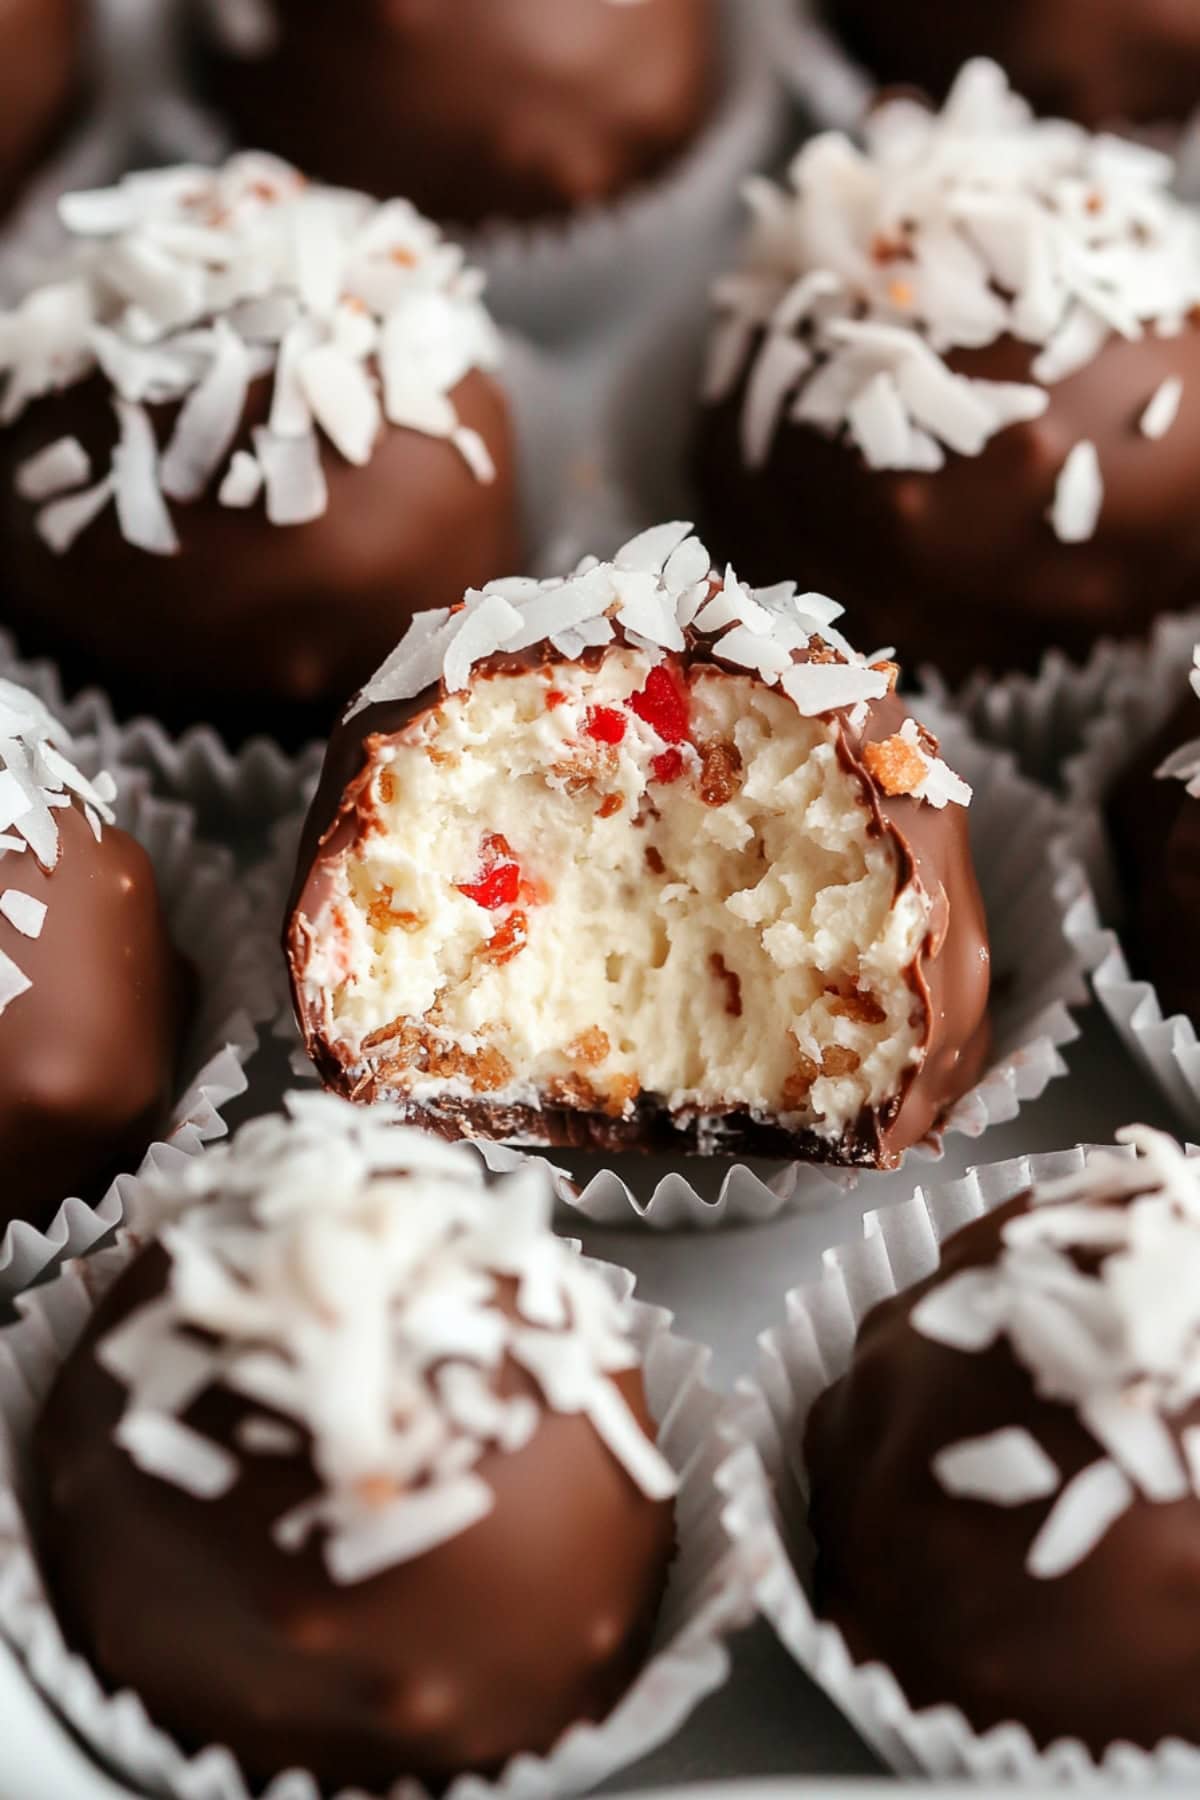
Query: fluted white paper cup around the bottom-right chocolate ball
x=767, y=1516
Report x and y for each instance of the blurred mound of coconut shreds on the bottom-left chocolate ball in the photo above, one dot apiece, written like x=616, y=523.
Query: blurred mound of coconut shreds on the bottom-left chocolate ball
x=350, y=1277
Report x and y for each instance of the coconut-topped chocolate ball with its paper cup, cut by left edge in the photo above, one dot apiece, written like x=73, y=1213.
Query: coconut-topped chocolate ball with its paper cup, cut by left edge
x=130, y=994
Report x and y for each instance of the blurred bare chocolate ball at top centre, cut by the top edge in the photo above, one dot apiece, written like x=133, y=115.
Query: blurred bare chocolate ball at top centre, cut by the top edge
x=481, y=109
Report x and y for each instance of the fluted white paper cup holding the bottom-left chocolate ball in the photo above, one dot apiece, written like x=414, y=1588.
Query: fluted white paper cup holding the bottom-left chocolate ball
x=708, y=1592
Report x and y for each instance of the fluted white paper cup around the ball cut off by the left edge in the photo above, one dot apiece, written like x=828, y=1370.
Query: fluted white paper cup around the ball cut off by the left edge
x=208, y=919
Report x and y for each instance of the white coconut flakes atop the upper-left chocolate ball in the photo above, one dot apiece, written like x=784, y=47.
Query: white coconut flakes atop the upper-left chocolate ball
x=186, y=285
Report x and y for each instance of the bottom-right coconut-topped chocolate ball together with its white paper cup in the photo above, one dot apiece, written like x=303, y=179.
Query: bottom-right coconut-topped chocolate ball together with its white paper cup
x=976, y=1513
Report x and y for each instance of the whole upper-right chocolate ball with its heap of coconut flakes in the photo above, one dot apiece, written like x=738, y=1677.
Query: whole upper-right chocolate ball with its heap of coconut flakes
x=951, y=379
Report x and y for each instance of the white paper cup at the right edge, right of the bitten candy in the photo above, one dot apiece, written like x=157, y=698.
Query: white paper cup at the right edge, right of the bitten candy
x=1143, y=690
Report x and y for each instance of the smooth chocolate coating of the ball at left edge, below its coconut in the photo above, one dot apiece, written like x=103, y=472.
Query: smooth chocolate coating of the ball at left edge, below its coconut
x=89, y=1052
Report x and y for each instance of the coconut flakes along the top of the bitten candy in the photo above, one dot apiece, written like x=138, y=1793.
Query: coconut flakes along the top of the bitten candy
x=654, y=591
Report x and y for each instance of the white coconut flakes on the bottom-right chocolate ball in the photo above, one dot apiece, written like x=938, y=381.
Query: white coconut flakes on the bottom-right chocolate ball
x=1098, y=1291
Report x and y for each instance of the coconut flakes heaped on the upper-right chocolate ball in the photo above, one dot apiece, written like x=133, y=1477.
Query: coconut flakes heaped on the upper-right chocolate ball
x=949, y=231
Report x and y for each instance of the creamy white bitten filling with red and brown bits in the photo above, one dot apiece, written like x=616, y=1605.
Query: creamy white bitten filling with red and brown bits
x=706, y=924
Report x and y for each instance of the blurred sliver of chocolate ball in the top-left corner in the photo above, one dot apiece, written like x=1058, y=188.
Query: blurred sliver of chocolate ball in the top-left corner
x=40, y=80
